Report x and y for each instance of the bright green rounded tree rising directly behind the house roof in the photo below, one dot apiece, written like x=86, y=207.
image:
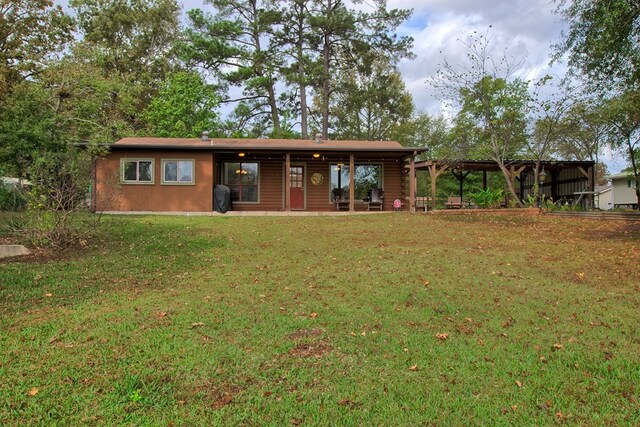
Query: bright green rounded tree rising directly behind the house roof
x=185, y=106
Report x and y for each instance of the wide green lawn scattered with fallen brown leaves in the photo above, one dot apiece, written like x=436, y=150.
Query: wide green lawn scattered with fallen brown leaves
x=392, y=319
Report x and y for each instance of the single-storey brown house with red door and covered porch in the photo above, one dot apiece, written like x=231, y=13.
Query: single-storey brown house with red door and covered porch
x=179, y=174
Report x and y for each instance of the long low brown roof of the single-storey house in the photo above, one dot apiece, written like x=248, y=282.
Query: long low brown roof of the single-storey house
x=225, y=144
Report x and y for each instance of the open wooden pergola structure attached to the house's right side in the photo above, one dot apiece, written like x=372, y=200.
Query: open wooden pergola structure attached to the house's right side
x=571, y=180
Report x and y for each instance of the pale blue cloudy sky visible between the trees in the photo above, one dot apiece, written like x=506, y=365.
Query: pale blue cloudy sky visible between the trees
x=525, y=29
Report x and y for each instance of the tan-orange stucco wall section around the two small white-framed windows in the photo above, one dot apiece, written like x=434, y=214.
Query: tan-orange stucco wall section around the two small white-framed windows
x=113, y=195
